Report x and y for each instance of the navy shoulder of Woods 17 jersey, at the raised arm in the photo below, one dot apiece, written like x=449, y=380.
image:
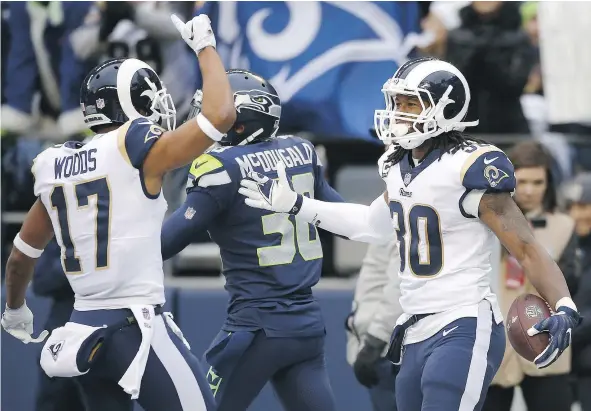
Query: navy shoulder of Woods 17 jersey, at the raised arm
x=136, y=138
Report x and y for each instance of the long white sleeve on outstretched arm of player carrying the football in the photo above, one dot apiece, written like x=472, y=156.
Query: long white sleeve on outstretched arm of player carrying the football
x=369, y=224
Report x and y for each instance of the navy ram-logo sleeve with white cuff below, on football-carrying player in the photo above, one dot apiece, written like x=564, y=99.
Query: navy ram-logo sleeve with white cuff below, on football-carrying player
x=486, y=170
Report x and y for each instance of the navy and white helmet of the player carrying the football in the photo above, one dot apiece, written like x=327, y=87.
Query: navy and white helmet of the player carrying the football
x=444, y=95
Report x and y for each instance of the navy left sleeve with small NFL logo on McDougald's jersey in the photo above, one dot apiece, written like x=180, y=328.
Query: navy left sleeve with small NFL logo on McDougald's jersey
x=187, y=222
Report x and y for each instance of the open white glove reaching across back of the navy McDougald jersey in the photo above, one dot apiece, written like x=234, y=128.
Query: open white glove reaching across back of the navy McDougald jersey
x=262, y=192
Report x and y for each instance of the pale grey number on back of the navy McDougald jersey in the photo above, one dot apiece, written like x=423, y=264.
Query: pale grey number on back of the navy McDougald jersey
x=292, y=231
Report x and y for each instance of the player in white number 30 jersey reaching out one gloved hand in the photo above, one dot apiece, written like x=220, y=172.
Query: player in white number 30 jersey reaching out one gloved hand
x=447, y=196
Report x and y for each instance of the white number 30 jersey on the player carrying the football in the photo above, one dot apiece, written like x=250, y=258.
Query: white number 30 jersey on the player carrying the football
x=445, y=249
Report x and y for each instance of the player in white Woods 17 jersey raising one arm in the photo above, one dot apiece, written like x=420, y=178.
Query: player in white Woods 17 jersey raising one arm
x=102, y=201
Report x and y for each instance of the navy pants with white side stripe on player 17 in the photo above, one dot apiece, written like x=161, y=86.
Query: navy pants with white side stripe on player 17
x=173, y=379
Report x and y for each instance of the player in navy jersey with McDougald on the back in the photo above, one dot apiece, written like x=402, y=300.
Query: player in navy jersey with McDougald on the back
x=274, y=331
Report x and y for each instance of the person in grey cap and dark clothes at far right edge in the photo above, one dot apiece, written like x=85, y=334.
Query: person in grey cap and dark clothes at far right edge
x=577, y=194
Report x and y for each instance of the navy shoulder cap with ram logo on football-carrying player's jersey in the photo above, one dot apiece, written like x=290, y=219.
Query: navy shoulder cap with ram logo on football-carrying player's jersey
x=488, y=168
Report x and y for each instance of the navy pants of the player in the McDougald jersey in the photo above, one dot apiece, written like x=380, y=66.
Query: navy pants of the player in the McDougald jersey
x=239, y=364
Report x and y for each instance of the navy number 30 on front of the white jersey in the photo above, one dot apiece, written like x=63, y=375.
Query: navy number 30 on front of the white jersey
x=425, y=251
